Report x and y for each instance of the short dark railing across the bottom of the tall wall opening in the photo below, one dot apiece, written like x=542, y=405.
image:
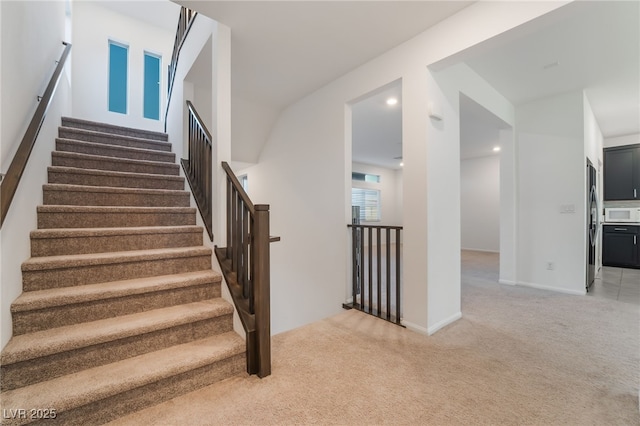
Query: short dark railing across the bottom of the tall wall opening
x=376, y=271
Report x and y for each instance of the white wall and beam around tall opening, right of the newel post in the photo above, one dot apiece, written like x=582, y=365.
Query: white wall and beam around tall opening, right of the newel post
x=303, y=172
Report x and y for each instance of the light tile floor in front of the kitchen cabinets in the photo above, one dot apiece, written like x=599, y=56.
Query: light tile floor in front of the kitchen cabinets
x=620, y=284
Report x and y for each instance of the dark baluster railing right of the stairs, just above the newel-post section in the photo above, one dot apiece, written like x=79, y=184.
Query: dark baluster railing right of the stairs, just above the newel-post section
x=198, y=167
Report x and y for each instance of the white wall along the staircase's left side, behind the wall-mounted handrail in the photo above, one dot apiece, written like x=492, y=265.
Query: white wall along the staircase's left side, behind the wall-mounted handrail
x=31, y=40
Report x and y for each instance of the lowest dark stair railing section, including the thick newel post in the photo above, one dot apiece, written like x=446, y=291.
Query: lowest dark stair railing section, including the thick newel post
x=245, y=264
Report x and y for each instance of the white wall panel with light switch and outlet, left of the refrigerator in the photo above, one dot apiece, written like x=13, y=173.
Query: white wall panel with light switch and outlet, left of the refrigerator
x=551, y=177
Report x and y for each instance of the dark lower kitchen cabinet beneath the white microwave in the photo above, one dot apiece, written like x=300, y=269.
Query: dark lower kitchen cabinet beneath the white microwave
x=620, y=246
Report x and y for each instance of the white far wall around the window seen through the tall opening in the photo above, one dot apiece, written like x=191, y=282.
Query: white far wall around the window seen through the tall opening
x=390, y=209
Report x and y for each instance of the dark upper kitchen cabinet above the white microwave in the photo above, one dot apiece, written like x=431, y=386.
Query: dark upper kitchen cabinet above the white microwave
x=622, y=173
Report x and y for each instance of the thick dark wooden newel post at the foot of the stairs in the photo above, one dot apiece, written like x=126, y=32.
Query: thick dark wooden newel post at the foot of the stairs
x=262, y=291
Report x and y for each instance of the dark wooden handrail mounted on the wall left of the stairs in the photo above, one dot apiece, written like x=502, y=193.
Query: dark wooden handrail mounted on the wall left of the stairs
x=9, y=183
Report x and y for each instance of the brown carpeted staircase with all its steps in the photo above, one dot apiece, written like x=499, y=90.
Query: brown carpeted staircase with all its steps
x=120, y=308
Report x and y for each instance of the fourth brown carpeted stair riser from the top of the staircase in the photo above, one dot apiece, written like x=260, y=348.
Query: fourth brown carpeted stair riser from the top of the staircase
x=97, y=162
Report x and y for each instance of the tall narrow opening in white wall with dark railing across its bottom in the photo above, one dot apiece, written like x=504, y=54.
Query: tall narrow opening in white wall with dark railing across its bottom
x=375, y=209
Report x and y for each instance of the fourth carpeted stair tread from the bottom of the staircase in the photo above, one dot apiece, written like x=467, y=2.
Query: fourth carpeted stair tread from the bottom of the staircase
x=79, y=260
